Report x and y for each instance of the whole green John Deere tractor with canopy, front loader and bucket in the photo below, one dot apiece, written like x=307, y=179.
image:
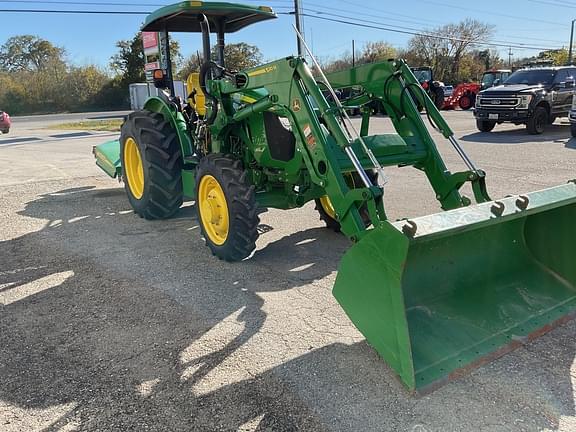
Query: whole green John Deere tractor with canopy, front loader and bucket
x=436, y=295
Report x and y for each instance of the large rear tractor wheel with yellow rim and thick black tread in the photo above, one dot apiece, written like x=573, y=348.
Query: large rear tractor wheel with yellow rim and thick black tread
x=151, y=165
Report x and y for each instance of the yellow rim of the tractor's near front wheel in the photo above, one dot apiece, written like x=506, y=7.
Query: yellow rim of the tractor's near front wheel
x=213, y=210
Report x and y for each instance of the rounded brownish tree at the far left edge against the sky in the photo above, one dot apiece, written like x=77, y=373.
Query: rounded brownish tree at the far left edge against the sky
x=29, y=53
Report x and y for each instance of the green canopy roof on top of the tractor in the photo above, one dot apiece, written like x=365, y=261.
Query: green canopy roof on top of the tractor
x=225, y=17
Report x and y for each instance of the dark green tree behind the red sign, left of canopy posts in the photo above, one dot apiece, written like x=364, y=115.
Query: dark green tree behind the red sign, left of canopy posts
x=129, y=62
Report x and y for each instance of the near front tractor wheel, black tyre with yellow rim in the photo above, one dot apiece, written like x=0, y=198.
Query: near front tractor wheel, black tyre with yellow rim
x=227, y=208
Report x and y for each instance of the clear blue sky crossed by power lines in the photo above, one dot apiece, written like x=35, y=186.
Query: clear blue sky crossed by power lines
x=528, y=25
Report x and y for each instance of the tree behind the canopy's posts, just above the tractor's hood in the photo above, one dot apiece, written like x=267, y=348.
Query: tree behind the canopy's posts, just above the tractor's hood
x=237, y=56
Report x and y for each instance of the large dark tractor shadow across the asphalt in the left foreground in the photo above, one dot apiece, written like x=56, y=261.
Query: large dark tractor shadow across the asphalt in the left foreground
x=109, y=322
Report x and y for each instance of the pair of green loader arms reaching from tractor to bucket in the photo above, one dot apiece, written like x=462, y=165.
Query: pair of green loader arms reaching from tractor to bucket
x=323, y=142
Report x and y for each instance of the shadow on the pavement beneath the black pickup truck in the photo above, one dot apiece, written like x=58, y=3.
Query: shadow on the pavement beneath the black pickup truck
x=557, y=133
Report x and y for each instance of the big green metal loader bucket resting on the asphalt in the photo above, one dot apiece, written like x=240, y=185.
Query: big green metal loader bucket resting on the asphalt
x=468, y=286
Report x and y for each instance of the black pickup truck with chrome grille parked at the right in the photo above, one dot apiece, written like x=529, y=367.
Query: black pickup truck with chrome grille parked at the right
x=534, y=97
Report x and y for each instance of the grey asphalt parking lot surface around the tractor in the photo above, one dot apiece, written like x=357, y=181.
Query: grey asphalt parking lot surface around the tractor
x=112, y=323
